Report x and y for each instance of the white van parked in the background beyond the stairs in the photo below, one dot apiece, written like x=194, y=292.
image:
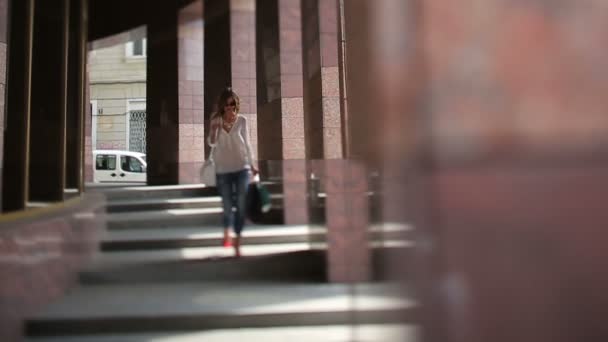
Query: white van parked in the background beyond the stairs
x=119, y=166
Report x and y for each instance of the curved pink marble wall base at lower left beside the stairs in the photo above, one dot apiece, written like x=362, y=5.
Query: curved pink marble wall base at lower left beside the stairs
x=39, y=258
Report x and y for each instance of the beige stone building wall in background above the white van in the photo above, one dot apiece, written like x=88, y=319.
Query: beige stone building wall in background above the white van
x=115, y=79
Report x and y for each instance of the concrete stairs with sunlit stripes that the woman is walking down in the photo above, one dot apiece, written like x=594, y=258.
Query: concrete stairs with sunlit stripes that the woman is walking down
x=162, y=275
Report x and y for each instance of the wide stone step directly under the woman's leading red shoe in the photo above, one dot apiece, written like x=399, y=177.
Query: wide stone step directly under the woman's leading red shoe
x=260, y=263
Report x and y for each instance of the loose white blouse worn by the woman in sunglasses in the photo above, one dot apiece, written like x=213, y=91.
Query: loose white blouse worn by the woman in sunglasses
x=232, y=149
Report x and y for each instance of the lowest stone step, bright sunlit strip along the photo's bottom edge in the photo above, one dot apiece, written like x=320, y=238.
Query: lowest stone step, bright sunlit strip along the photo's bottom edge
x=354, y=332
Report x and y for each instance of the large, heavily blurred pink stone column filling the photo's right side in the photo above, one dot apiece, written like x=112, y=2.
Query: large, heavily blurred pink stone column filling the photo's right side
x=520, y=183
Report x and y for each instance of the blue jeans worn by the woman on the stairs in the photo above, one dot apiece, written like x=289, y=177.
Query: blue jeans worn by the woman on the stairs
x=232, y=186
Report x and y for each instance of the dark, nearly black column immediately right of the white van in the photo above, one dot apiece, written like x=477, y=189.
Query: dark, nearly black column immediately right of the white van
x=162, y=113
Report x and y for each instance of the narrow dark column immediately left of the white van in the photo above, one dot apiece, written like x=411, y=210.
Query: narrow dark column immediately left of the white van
x=76, y=105
